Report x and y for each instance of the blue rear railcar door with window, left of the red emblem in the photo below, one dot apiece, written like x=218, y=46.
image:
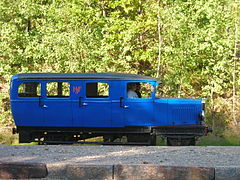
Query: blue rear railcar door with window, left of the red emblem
x=57, y=104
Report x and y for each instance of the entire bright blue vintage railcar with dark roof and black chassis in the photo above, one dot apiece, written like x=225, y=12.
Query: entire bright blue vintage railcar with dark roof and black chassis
x=70, y=108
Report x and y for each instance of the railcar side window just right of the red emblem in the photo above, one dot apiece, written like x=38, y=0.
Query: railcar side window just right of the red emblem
x=97, y=90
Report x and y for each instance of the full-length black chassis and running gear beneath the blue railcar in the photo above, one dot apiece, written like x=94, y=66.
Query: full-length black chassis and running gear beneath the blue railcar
x=175, y=136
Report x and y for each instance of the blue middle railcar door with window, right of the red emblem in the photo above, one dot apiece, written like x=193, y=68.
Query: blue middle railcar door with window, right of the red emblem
x=95, y=104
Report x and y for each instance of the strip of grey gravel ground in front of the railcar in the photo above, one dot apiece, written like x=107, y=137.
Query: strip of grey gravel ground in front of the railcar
x=210, y=156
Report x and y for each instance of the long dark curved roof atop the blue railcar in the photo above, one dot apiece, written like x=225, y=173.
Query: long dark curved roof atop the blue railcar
x=118, y=76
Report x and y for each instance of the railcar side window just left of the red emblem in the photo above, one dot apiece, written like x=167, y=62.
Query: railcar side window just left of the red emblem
x=58, y=90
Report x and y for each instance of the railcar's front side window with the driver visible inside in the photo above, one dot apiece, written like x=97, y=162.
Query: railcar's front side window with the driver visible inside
x=139, y=90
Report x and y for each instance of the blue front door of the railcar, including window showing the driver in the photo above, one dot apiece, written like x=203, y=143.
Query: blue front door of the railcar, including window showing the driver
x=138, y=104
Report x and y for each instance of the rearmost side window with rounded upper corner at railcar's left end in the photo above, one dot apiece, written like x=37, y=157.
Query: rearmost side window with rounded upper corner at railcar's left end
x=29, y=89
